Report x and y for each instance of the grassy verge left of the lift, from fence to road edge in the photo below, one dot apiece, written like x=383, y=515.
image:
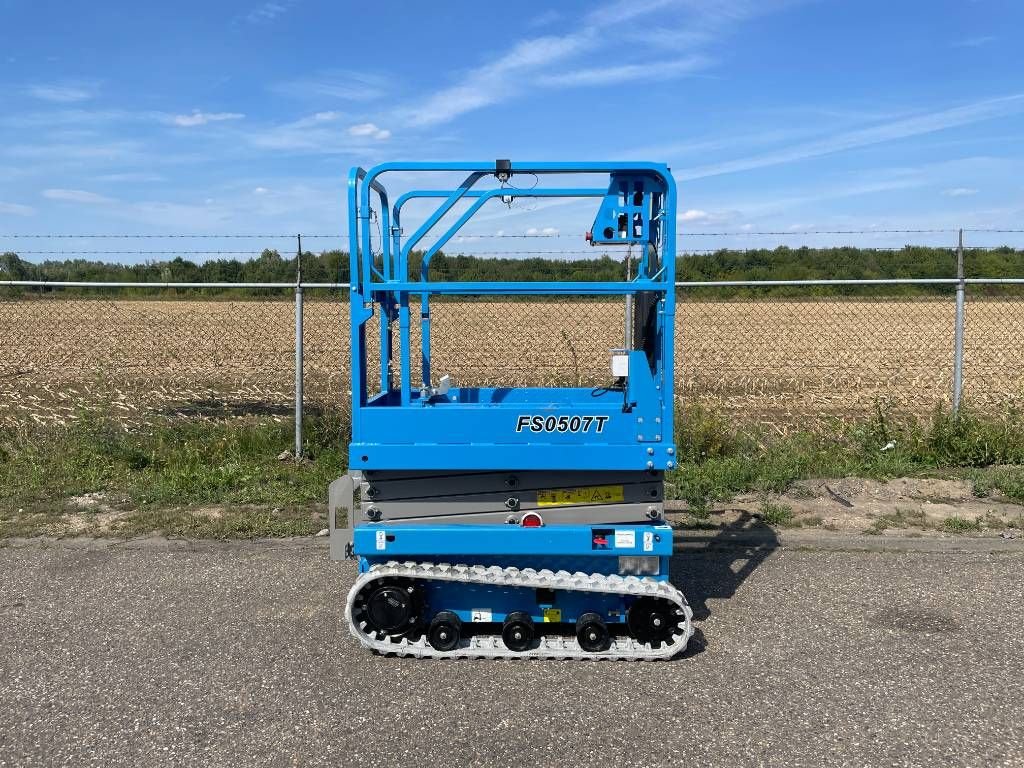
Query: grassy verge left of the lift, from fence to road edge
x=180, y=464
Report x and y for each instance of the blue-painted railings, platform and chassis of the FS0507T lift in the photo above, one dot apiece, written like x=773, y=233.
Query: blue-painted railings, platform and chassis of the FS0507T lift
x=396, y=428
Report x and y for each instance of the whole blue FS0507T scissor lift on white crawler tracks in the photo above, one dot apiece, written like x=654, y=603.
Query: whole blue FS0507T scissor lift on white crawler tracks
x=509, y=522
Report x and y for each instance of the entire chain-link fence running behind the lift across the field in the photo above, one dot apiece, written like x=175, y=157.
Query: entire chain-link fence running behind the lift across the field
x=781, y=360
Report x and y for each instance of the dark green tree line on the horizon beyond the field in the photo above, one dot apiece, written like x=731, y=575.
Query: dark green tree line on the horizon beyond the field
x=753, y=265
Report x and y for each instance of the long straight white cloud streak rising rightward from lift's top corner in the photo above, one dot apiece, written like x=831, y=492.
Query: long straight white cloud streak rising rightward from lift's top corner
x=891, y=132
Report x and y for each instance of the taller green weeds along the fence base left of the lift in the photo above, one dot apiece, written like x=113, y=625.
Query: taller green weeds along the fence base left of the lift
x=179, y=463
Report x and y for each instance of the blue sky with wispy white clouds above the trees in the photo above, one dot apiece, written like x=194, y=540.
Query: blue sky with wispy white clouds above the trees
x=244, y=117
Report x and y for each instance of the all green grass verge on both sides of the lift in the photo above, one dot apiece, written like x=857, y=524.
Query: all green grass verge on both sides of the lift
x=161, y=477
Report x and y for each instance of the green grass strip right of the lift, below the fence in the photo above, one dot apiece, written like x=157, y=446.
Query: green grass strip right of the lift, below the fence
x=719, y=461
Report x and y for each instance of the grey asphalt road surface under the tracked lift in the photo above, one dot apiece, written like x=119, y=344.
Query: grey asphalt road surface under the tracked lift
x=236, y=656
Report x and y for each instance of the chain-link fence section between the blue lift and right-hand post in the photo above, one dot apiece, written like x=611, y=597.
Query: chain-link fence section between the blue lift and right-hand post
x=787, y=360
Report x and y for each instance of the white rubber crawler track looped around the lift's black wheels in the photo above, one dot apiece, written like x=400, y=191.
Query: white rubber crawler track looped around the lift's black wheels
x=491, y=647
